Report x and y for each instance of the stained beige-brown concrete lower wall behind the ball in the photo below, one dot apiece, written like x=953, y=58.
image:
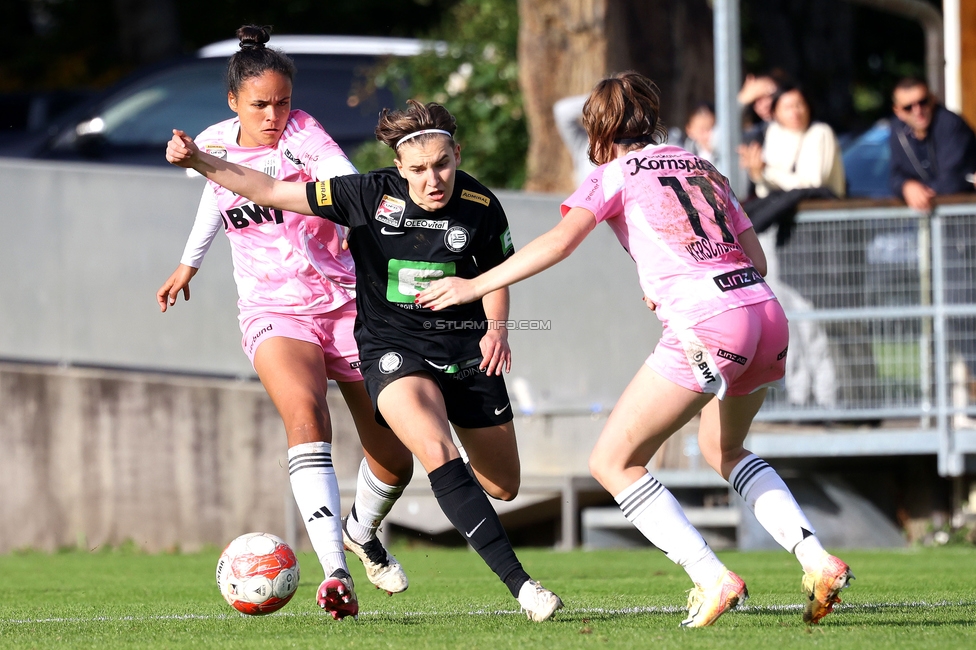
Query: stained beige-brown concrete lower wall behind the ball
x=94, y=457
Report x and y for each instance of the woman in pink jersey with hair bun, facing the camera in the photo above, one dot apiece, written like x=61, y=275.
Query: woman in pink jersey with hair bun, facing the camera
x=297, y=309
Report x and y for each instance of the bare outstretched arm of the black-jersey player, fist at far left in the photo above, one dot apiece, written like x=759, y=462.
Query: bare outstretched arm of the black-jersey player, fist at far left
x=255, y=186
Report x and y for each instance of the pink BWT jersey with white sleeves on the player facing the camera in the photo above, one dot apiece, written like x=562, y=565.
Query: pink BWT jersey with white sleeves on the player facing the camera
x=284, y=262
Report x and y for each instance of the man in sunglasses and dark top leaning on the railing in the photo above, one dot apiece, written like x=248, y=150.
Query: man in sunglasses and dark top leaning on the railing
x=933, y=151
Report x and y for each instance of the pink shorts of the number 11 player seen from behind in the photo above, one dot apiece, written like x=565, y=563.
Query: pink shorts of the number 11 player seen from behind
x=734, y=353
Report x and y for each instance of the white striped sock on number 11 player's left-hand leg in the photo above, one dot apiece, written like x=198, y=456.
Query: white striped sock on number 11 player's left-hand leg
x=656, y=513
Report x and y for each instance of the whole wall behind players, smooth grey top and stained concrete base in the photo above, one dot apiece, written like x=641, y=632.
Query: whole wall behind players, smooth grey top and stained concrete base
x=120, y=423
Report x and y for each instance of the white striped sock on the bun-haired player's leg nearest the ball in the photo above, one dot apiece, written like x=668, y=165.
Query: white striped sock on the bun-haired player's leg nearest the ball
x=316, y=491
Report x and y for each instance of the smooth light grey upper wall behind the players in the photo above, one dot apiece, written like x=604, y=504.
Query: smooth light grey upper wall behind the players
x=86, y=247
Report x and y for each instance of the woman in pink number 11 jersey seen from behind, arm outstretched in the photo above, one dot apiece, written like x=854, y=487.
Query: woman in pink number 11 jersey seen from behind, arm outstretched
x=725, y=336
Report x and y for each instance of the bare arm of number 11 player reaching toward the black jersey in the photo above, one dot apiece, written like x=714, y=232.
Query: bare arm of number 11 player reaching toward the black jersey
x=538, y=255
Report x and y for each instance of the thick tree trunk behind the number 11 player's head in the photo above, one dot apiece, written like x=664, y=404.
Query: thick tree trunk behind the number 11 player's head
x=565, y=46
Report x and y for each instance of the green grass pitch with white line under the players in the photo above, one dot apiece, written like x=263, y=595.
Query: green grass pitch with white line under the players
x=918, y=598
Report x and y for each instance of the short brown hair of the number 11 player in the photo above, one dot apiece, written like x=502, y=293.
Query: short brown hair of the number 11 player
x=622, y=109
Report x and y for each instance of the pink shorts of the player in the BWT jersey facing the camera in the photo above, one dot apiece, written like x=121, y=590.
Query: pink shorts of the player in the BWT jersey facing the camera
x=331, y=331
